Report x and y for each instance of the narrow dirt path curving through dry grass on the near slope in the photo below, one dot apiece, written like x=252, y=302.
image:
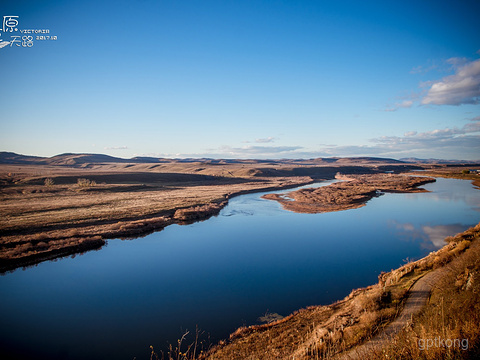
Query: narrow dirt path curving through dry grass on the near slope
x=419, y=294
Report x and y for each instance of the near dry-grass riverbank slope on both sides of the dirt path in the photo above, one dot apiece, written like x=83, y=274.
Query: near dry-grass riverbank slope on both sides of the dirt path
x=325, y=332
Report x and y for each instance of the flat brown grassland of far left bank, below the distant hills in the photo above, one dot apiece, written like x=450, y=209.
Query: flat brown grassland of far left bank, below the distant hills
x=42, y=222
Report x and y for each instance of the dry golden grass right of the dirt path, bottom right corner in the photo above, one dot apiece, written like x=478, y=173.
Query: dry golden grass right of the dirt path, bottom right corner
x=449, y=325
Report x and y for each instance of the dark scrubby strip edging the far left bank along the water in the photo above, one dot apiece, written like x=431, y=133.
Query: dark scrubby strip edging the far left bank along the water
x=80, y=239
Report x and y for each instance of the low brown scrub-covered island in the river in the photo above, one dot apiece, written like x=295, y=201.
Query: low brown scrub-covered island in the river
x=351, y=193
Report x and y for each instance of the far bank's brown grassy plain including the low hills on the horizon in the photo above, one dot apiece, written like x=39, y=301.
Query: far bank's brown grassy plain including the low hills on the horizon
x=74, y=203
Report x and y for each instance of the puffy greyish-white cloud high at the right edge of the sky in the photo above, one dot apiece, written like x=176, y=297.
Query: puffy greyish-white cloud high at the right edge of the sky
x=463, y=87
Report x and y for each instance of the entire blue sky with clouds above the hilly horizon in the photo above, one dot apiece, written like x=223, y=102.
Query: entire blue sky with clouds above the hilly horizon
x=241, y=79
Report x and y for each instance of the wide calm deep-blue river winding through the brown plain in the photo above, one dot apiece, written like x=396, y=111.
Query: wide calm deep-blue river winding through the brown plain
x=219, y=274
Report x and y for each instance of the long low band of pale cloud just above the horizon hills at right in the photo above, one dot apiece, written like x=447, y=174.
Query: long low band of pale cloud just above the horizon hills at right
x=448, y=143
